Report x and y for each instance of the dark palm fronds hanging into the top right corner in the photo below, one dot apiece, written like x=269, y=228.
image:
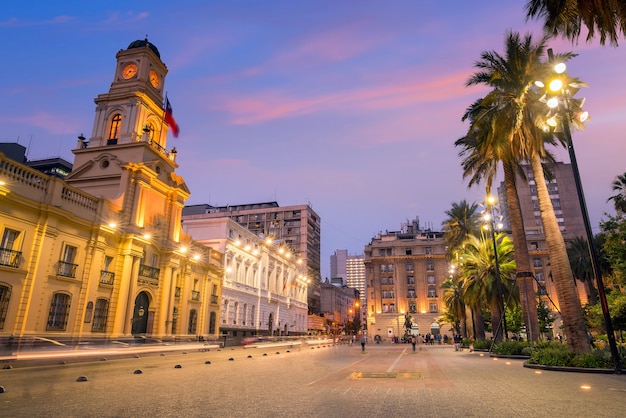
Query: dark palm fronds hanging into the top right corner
x=567, y=17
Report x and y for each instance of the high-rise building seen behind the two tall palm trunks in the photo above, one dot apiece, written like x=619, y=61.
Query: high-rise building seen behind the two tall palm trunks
x=564, y=197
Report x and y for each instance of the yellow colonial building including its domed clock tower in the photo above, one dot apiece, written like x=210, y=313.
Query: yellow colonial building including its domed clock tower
x=102, y=254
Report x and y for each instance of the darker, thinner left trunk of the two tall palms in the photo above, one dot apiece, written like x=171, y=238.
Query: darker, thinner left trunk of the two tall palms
x=522, y=259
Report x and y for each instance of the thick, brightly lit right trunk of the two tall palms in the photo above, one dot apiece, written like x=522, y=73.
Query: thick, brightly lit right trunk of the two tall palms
x=571, y=311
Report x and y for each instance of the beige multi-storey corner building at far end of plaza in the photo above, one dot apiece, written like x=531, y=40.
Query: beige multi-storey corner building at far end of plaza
x=404, y=271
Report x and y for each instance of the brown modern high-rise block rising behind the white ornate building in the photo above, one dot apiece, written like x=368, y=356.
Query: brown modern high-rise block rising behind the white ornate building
x=297, y=227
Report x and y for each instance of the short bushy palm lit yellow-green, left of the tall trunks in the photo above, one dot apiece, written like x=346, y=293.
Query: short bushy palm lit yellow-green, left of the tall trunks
x=479, y=271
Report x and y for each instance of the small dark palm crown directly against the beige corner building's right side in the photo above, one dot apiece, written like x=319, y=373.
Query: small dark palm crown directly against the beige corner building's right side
x=463, y=220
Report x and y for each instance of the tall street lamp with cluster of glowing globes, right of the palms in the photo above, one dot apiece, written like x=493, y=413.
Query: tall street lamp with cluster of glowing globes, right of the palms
x=560, y=101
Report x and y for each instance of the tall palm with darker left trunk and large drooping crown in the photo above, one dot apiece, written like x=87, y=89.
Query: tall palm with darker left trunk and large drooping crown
x=496, y=120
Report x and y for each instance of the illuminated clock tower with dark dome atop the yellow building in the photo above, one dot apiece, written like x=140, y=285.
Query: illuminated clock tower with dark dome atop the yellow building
x=125, y=160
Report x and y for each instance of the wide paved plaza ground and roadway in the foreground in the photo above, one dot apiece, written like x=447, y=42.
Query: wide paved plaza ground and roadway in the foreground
x=318, y=381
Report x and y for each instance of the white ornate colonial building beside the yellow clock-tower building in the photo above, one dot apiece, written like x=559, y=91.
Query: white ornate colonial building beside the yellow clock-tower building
x=265, y=285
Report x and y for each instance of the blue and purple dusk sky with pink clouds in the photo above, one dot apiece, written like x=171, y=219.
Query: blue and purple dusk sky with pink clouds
x=349, y=106
